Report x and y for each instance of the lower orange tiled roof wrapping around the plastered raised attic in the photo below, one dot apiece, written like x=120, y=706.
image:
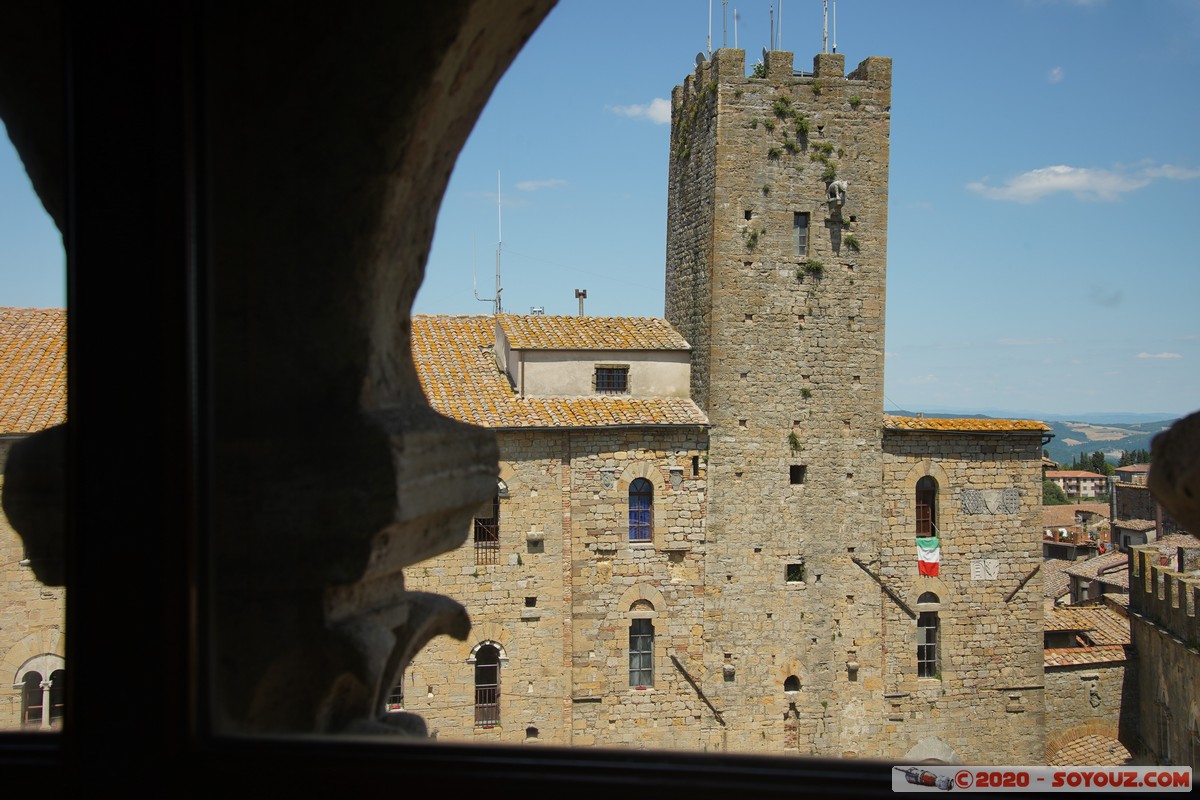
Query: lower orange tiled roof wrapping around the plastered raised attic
x=461, y=380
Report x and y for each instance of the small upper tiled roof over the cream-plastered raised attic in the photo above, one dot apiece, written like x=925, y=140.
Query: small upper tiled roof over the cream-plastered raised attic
x=541, y=333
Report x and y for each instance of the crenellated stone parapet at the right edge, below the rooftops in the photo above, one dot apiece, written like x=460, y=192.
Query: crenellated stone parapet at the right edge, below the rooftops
x=1165, y=597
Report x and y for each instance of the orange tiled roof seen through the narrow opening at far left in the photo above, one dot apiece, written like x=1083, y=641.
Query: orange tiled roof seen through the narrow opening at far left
x=34, y=372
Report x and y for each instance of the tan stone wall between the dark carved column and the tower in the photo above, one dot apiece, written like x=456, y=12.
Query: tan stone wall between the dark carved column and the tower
x=560, y=601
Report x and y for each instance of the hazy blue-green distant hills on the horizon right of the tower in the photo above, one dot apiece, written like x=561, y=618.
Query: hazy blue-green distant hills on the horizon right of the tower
x=1112, y=434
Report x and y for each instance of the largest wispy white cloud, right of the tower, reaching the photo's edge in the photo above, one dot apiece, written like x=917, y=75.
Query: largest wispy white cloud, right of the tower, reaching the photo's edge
x=1082, y=182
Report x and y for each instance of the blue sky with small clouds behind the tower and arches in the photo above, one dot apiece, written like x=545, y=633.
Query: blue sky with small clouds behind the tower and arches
x=1043, y=255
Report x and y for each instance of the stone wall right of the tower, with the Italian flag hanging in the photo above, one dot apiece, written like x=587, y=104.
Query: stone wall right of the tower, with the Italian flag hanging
x=988, y=705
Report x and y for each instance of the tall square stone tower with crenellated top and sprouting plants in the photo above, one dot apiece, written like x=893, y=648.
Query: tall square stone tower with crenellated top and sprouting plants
x=776, y=275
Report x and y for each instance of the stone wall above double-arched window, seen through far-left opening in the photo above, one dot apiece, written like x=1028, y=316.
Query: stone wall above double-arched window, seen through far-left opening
x=32, y=617
